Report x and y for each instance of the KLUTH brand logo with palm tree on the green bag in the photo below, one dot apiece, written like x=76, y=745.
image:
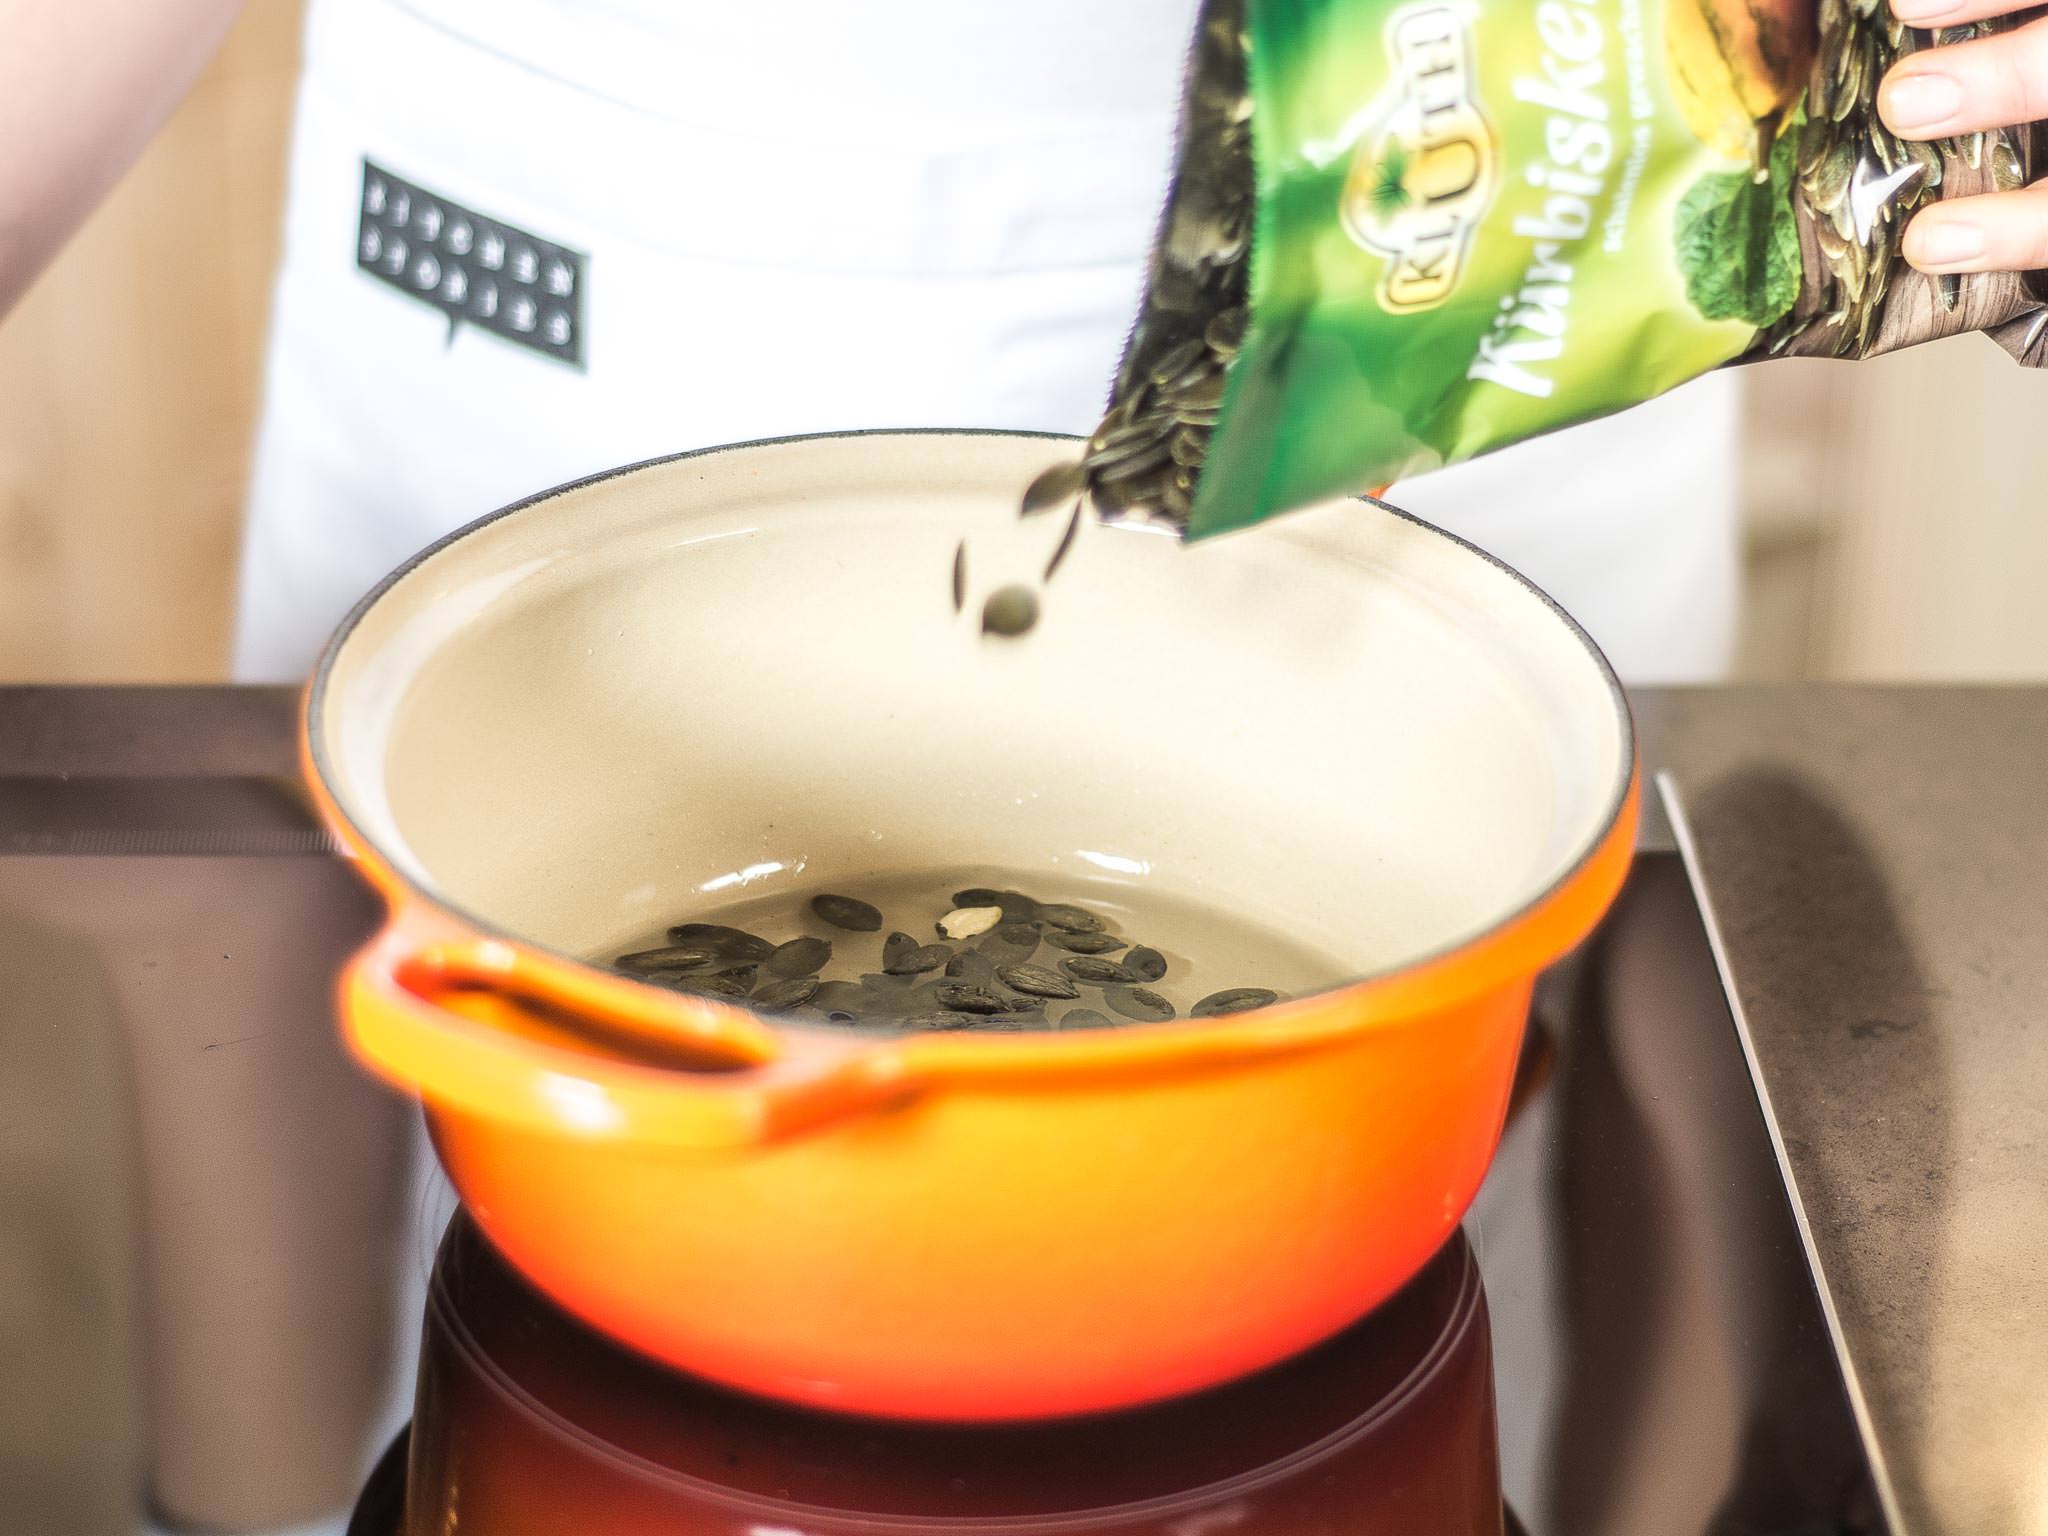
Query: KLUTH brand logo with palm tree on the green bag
x=1422, y=181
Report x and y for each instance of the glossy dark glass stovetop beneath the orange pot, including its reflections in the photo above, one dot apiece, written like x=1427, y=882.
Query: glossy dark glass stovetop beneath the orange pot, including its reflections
x=1631, y=1279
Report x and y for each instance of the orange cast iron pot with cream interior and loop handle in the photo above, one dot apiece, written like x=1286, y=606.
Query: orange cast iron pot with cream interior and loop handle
x=548, y=736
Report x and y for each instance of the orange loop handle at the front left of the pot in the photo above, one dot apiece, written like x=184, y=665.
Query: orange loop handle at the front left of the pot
x=490, y=1029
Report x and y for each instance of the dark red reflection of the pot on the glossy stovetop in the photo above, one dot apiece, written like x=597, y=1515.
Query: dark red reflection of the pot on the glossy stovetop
x=527, y=1422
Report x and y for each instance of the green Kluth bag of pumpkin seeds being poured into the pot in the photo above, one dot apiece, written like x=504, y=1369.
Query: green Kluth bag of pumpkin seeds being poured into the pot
x=1408, y=232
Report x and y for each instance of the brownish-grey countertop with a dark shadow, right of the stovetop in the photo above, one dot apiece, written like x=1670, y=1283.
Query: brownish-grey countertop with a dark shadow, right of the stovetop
x=1877, y=861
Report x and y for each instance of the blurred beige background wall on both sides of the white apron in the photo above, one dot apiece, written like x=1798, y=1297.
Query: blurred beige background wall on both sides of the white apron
x=1895, y=511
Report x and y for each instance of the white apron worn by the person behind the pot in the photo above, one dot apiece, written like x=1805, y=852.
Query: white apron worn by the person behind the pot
x=802, y=218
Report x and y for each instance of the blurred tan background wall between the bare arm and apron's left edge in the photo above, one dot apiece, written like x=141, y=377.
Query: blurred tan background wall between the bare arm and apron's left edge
x=128, y=392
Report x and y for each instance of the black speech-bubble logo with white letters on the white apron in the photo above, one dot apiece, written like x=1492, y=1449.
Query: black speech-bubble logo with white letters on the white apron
x=478, y=271
